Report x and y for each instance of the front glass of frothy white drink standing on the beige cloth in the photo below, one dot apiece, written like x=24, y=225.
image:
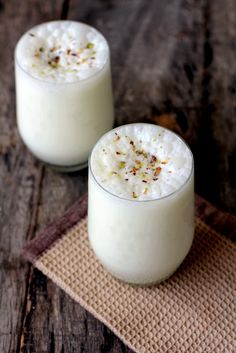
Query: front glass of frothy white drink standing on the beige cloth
x=141, y=202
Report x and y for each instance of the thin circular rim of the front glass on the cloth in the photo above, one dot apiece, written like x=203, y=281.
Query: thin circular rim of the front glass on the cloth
x=147, y=200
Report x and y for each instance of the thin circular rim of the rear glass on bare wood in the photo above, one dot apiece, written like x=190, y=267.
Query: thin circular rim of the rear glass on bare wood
x=61, y=83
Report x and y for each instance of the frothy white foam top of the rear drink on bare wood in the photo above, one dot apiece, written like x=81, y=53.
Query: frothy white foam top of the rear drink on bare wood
x=62, y=51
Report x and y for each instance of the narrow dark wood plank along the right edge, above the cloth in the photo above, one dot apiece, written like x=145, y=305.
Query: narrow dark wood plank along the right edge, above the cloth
x=222, y=99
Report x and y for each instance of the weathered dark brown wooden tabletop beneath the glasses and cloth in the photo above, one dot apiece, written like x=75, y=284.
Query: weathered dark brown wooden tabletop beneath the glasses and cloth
x=173, y=63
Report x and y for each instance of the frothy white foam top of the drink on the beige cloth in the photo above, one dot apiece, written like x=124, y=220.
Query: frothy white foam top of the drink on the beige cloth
x=141, y=162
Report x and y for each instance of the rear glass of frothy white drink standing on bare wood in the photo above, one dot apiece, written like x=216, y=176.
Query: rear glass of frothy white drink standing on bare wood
x=63, y=89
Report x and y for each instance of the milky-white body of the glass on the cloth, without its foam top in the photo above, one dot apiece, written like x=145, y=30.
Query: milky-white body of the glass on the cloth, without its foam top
x=140, y=241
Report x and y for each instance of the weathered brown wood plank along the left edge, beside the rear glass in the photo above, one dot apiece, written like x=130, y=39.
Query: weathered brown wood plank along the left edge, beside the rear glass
x=20, y=176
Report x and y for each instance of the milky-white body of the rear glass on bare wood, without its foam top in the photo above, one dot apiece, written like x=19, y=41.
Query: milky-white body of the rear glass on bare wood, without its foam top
x=61, y=121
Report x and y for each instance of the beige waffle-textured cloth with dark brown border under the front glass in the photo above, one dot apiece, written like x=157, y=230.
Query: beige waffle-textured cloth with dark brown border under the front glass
x=193, y=311
